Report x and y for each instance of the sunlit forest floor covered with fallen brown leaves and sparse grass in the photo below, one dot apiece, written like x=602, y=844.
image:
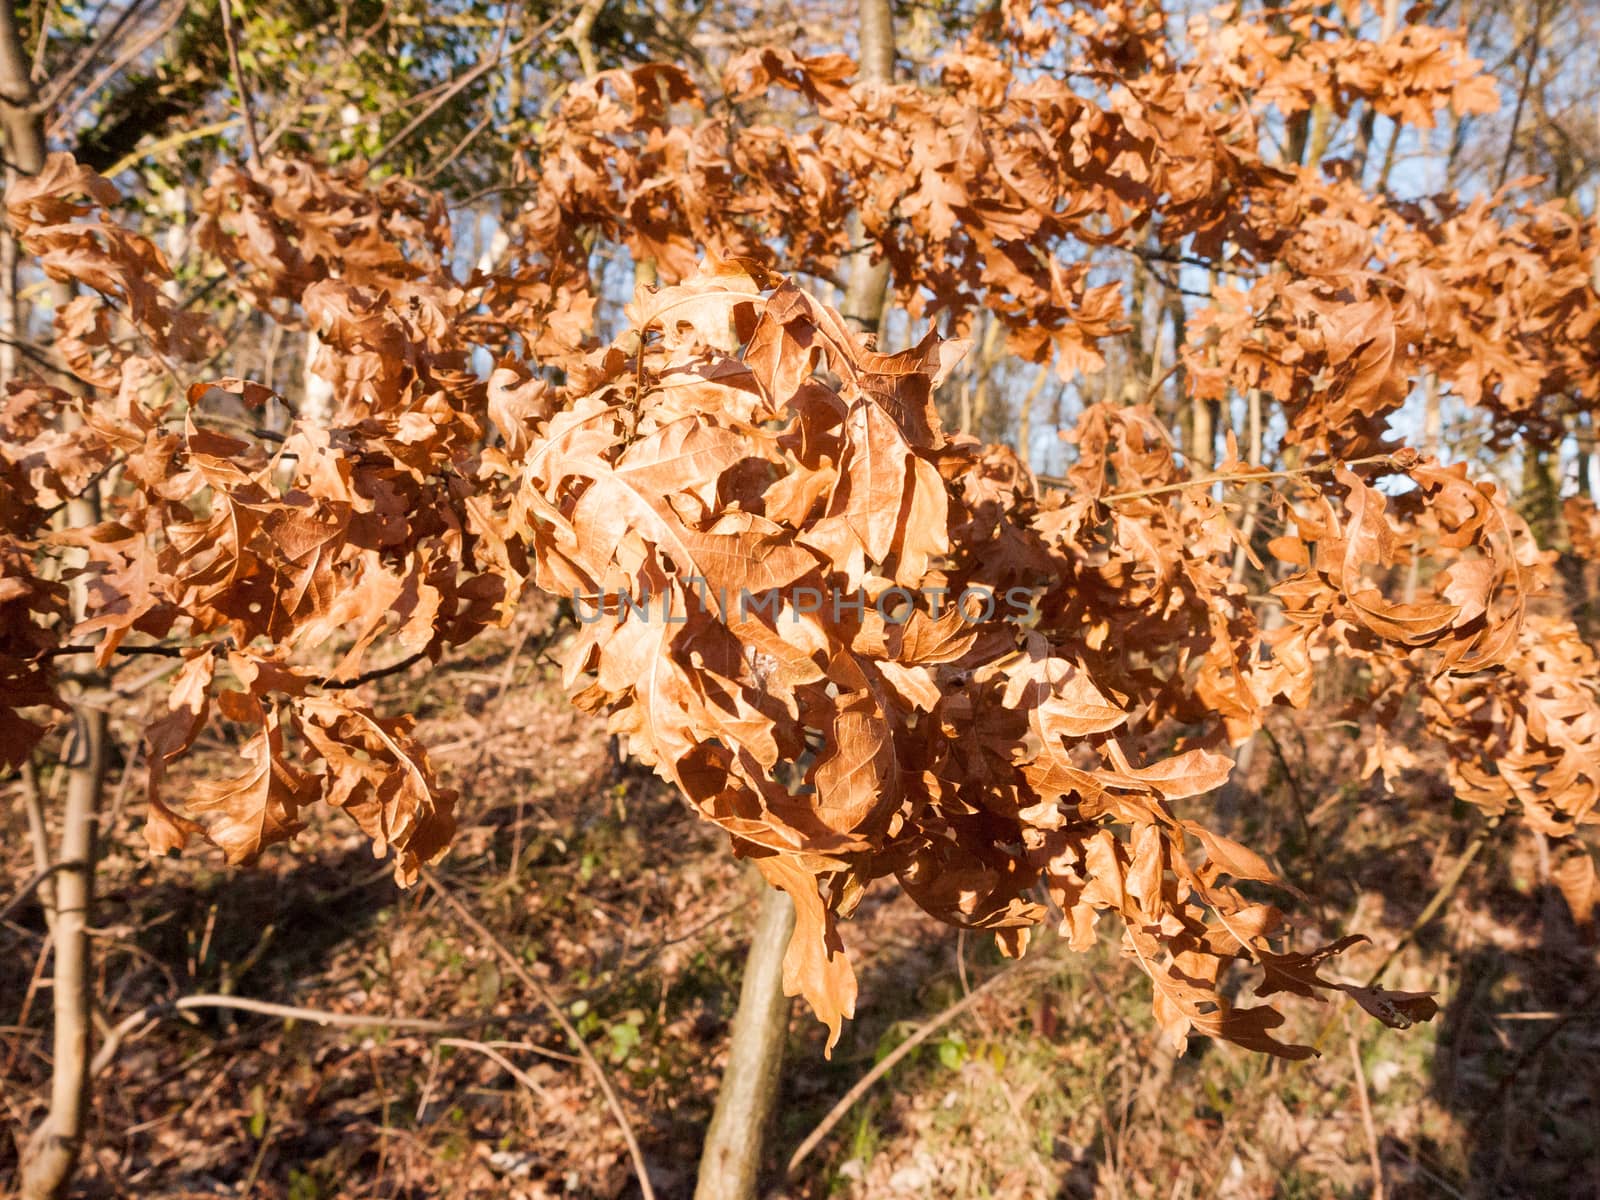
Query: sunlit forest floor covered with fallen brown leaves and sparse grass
x=633, y=914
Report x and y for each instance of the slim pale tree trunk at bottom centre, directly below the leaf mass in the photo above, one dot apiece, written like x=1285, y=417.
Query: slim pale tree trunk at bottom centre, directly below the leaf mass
x=732, y=1159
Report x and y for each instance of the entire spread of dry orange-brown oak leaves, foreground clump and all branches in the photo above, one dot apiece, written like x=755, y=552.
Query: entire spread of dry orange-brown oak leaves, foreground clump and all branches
x=742, y=441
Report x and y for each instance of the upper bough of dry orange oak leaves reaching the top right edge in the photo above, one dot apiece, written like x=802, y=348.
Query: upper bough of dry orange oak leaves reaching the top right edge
x=985, y=190
